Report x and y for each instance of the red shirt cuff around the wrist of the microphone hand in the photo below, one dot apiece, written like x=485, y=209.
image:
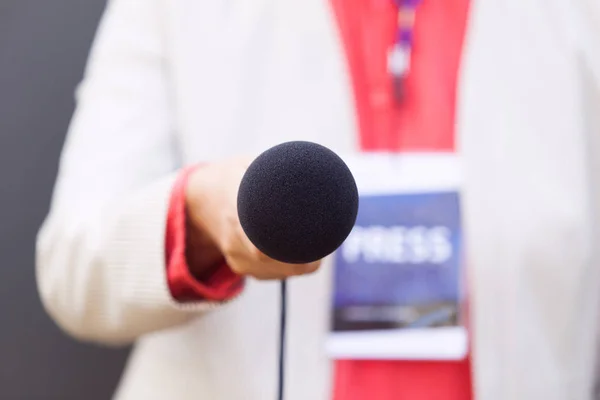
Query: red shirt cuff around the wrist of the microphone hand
x=222, y=284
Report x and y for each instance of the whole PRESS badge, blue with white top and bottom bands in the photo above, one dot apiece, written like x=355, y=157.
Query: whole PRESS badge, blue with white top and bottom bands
x=398, y=276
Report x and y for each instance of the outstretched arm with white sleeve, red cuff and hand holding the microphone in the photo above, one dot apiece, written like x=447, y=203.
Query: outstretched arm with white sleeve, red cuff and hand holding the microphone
x=101, y=259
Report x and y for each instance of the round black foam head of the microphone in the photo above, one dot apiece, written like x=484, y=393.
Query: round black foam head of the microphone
x=297, y=202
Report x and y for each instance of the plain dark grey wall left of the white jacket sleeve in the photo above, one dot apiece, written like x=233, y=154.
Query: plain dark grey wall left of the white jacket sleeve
x=43, y=47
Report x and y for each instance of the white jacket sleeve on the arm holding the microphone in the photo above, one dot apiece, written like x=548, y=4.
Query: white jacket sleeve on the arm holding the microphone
x=100, y=252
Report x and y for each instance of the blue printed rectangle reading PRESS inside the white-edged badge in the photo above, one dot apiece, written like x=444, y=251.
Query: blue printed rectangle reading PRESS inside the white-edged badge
x=399, y=268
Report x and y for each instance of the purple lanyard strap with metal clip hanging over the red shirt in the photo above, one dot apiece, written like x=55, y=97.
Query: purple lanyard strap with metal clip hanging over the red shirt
x=398, y=63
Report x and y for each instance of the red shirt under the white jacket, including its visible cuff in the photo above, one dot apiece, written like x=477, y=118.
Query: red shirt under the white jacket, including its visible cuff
x=424, y=122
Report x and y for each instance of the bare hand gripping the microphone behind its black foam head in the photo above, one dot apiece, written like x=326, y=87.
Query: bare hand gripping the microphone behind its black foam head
x=212, y=212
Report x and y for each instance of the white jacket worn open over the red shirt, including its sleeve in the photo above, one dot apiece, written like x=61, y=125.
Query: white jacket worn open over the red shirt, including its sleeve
x=175, y=82
